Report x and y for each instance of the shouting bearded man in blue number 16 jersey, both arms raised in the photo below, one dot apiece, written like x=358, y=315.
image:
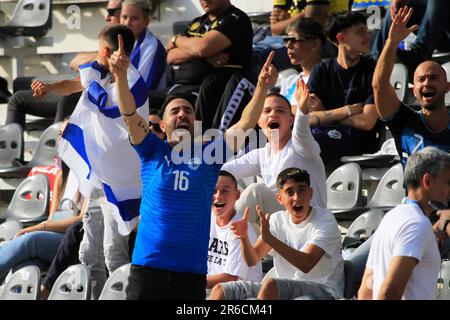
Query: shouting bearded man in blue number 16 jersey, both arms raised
x=170, y=256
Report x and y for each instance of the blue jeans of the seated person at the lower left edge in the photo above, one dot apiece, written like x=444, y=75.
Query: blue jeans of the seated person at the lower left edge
x=26, y=249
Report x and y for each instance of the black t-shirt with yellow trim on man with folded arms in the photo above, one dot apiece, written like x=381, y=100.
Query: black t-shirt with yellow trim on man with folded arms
x=236, y=26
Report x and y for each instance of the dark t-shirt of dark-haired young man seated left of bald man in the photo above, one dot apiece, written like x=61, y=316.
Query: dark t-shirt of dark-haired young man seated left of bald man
x=337, y=87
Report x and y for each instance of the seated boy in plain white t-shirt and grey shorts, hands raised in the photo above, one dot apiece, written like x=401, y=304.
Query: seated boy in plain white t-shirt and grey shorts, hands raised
x=305, y=244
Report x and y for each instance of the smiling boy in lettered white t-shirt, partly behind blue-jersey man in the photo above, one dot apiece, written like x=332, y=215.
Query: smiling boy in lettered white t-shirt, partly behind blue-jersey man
x=225, y=262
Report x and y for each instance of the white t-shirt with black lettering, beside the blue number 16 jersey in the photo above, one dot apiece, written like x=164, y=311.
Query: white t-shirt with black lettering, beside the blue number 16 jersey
x=224, y=252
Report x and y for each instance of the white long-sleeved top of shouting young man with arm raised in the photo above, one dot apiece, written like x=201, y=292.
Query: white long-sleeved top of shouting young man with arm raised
x=301, y=151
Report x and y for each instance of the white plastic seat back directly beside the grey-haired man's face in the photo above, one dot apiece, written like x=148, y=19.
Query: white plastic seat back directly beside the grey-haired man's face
x=390, y=191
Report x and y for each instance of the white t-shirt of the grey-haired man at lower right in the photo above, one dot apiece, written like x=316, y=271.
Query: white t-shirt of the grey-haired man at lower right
x=406, y=231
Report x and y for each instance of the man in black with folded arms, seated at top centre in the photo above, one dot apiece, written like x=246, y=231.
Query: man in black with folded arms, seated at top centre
x=213, y=54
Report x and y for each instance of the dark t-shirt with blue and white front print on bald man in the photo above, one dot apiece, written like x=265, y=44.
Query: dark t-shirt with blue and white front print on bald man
x=411, y=133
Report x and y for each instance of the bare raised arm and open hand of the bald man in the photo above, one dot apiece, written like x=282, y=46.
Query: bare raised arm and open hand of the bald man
x=386, y=100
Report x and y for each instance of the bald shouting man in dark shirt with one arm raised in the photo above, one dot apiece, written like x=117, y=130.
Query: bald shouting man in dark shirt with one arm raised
x=412, y=130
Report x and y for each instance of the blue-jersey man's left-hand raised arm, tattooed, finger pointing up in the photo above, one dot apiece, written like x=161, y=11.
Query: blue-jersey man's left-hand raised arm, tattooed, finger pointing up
x=137, y=126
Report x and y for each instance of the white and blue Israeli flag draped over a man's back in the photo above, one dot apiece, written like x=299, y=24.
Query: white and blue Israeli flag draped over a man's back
x=96, y=147
